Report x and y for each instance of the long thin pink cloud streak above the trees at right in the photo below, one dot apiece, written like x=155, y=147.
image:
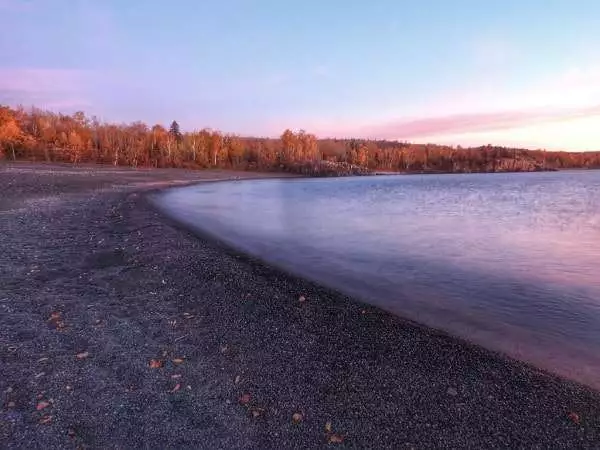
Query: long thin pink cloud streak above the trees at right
x=473, y=122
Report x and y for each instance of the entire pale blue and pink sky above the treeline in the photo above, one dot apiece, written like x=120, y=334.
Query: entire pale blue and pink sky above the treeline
x=461, y=72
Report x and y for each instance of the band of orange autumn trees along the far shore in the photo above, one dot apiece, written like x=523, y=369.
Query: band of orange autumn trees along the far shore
x=39, y=135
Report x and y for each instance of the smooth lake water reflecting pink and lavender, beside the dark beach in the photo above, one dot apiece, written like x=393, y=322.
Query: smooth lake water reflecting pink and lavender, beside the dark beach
x=510, y=261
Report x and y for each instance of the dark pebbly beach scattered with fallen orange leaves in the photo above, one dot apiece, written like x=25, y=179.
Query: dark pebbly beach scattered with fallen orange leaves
x=96, y=287
